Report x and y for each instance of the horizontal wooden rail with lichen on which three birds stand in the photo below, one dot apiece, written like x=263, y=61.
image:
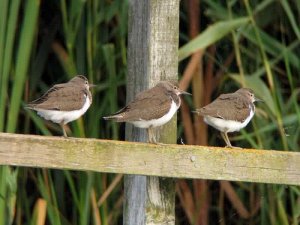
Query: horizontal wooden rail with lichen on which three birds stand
x=179, y=161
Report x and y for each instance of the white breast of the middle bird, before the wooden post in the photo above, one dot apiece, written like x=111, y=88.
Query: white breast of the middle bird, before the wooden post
x=157, y=122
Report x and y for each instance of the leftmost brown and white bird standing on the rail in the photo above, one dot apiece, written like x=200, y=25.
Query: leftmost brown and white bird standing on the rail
x=64, y=102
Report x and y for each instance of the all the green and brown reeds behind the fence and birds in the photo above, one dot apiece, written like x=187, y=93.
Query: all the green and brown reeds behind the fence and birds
x=242, y=43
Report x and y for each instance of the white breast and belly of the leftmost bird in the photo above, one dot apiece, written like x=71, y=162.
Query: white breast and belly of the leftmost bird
x=64, y=116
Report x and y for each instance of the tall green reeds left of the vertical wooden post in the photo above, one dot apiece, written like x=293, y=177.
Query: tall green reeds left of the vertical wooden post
x=41, y=49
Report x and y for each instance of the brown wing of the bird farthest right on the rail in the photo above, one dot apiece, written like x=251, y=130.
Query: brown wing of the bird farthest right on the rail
x=227, y=106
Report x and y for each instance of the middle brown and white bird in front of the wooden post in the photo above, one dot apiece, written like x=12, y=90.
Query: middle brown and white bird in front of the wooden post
x=151, y=108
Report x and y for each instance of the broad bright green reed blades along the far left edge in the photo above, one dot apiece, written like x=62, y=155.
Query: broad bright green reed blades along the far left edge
x=13, y=70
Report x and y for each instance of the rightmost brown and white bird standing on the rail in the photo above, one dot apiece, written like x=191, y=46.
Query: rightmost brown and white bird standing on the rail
x=230, y=112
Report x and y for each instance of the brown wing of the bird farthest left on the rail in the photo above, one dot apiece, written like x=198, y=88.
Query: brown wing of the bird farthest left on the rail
x=60, y=97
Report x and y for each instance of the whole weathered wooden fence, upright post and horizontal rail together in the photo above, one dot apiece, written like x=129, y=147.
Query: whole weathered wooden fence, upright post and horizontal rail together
x=152, y=56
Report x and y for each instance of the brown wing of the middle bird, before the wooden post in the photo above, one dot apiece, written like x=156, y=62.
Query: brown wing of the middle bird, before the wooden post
x=147, y=105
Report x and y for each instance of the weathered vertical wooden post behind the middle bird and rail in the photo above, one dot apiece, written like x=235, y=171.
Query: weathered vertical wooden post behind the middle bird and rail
x=152, y=56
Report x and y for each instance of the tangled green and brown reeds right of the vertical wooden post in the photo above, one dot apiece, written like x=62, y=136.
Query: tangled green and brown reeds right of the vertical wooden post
x=266, y=60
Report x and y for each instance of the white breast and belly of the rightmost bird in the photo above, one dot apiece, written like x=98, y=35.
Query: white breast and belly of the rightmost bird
x=227, y=125
